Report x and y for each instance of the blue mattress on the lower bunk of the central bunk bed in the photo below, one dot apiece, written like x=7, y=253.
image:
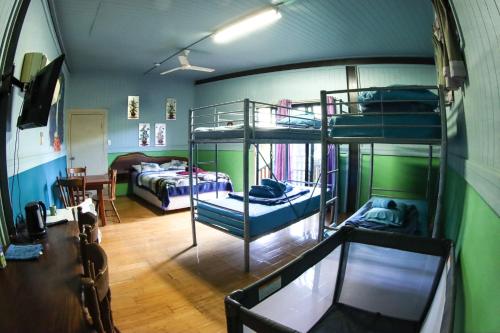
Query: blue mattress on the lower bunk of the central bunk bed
x=227, y=213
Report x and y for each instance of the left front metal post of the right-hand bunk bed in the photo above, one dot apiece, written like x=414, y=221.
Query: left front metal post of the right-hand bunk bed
x=324, y=165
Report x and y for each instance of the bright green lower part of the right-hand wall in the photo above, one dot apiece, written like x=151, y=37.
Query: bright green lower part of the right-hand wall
x=475, y=229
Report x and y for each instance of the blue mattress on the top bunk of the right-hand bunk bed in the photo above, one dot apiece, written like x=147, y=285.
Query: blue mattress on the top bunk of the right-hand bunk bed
x=422, y=120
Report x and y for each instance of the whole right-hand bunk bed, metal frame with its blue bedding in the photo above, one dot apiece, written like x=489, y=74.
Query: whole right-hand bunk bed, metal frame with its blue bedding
x=388, y=115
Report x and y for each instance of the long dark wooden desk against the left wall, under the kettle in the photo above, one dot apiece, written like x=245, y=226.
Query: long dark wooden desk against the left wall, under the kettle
x=44, y=295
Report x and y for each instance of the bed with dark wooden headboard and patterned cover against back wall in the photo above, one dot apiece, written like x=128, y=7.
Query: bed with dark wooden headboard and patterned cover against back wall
x=175, y=197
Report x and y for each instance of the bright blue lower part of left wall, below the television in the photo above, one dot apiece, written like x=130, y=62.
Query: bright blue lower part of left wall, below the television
x=37, y=184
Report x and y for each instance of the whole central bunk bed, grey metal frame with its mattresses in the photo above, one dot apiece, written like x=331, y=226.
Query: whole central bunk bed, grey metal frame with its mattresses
x=248, y=123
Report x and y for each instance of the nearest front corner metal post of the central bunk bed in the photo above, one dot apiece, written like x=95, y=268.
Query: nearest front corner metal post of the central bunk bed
x=246, y=215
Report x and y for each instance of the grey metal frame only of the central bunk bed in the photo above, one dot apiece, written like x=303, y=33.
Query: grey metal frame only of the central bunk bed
x=248, y=139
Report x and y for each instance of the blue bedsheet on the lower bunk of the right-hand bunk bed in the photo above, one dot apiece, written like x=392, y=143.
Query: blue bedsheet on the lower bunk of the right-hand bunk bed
x=415, y=223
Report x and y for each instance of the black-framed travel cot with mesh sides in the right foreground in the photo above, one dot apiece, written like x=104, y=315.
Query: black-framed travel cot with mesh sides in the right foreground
x=355, y=281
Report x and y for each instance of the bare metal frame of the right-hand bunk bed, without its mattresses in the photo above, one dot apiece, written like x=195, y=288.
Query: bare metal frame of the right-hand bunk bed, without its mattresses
x=327, y=139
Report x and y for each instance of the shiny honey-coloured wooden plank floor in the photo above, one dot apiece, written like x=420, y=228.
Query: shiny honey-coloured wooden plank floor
x=160, y=283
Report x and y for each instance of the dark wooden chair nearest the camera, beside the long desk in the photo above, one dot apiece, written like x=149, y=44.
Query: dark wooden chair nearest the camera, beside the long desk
x=96, y=291
